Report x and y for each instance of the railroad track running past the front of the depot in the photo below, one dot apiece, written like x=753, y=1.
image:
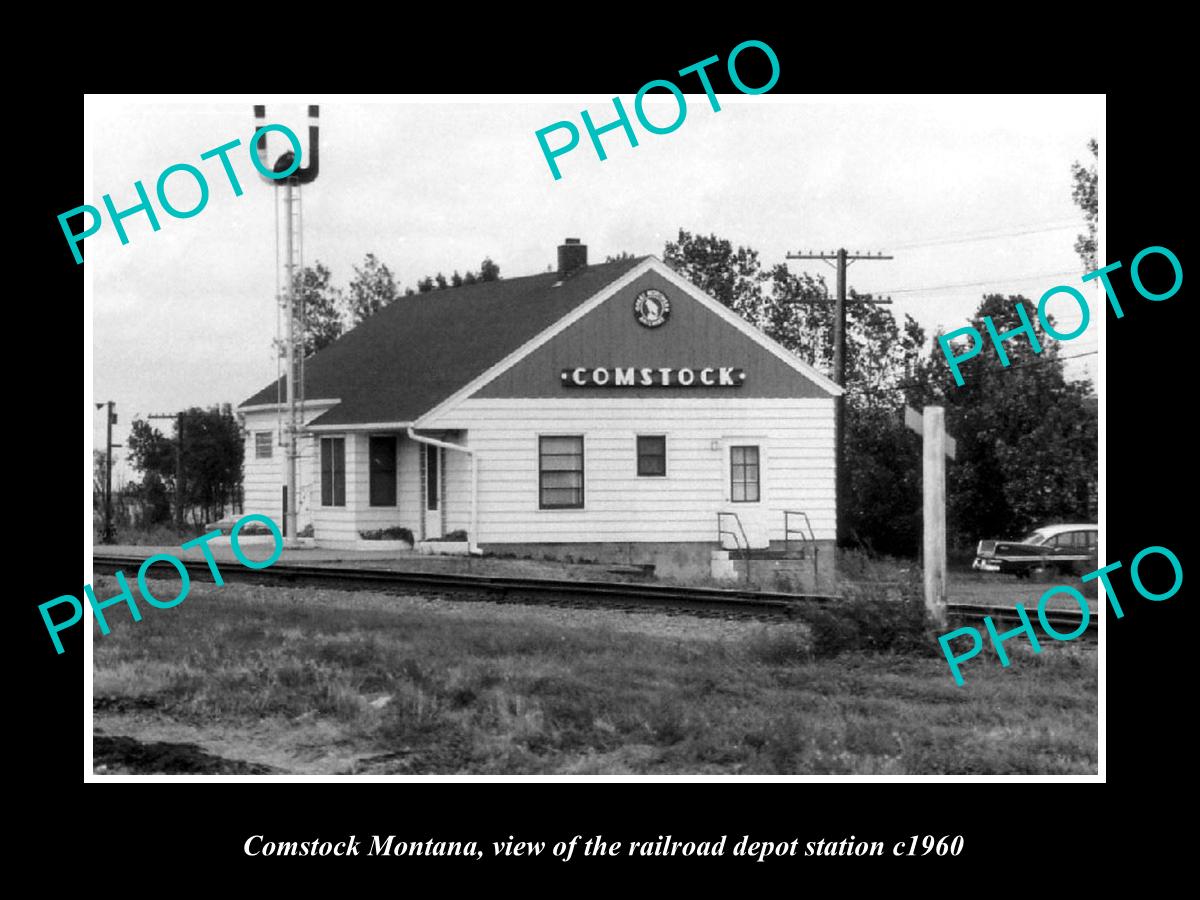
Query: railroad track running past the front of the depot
x=626, y=597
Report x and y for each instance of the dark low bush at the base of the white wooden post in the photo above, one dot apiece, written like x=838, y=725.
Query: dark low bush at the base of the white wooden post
x=867, y=619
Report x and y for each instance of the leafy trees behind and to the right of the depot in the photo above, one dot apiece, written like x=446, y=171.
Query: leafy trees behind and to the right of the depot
x=1027, y=436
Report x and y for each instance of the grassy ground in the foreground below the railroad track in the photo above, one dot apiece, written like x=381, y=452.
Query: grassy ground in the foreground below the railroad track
x=245, y=679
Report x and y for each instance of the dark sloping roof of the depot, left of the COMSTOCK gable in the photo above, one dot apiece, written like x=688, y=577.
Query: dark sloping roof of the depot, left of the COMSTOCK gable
x=421, y=350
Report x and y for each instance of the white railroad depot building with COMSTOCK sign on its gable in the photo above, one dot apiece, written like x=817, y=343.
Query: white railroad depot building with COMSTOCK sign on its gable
x=608, y=412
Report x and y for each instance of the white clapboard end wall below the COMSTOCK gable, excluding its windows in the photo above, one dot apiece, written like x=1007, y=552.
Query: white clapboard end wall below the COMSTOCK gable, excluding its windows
x=796, y=440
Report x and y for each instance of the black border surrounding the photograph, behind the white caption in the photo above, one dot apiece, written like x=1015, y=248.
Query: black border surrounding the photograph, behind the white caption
x=1009, y=827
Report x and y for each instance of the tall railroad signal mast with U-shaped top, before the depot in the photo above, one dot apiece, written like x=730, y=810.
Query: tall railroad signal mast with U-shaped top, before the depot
x=291, y=332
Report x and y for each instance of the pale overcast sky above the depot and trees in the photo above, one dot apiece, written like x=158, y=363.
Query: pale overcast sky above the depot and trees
x=961, y=190
